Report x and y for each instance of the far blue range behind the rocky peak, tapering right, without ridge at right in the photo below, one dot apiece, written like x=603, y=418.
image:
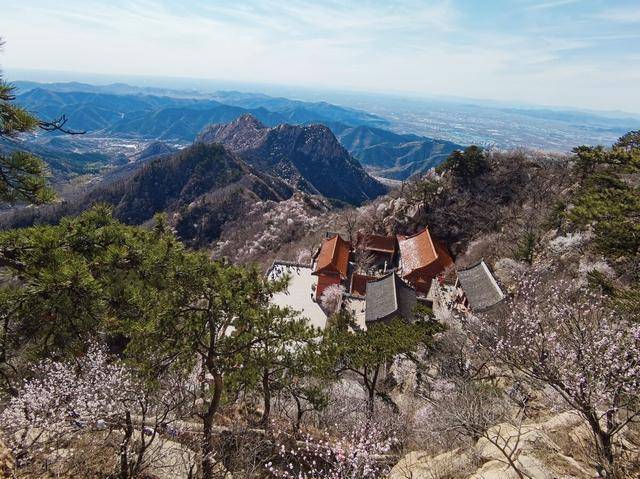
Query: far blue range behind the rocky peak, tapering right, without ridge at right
x=174, y=118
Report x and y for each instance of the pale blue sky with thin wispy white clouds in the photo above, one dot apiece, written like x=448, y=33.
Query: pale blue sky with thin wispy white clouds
x=577, y=53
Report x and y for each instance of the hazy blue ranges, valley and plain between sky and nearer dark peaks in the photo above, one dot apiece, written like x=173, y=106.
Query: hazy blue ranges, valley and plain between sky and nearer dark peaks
x=120, y=119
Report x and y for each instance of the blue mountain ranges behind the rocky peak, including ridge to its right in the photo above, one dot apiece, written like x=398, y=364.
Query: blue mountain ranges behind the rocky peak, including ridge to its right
x=121, y=111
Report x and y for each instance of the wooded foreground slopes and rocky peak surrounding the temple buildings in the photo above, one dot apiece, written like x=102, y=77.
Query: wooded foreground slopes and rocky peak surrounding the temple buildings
x=143, y=350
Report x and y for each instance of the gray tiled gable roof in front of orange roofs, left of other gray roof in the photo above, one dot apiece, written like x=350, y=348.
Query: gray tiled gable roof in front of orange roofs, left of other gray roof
x=387, y=297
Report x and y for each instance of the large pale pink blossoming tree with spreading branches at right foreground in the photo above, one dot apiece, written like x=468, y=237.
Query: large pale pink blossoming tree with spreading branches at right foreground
x=586, y=352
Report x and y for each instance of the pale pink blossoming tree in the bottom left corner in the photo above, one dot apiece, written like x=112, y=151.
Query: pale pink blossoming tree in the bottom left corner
x=65, y=399
